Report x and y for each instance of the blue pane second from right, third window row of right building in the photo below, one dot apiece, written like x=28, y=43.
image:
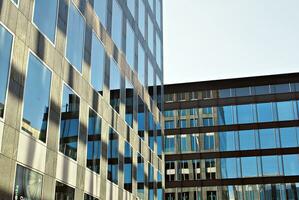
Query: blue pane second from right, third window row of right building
x=267, y=138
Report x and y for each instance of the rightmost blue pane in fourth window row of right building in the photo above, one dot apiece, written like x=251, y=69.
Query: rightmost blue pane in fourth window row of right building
x=290, y=165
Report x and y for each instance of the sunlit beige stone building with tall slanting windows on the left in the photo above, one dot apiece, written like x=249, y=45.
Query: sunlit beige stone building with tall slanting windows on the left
x=81, y=84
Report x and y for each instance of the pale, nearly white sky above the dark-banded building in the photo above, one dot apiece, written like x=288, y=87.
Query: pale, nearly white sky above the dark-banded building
x=216, y=39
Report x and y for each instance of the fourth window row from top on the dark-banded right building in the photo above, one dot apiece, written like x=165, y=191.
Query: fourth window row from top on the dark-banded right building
x=229, y=168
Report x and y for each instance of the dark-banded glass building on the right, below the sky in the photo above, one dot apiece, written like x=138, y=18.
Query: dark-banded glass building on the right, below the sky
x=233, y=139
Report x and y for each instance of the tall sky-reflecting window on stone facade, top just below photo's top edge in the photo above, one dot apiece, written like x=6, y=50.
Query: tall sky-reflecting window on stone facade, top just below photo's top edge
x=75, y=37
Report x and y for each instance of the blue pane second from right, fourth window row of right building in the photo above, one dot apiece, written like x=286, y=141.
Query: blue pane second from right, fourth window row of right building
x=271, y=165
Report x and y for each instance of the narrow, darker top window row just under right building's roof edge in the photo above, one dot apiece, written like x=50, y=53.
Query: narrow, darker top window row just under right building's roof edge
x=233, y=92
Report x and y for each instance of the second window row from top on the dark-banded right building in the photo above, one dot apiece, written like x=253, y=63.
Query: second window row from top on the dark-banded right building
x=234, y=114
